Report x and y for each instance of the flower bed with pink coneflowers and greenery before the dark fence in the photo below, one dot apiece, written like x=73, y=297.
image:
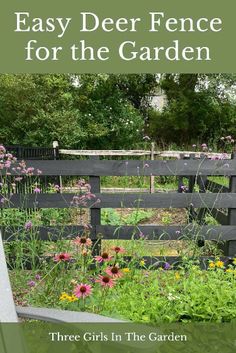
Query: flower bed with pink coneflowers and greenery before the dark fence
x=113, y=288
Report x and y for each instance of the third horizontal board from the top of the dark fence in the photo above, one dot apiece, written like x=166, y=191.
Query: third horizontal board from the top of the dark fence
x=106, y=232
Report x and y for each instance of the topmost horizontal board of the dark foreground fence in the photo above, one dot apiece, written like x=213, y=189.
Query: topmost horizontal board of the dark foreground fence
x=134, y=168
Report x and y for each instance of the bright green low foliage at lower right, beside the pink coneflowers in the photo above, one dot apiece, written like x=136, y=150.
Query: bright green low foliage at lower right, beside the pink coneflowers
x=176, y=297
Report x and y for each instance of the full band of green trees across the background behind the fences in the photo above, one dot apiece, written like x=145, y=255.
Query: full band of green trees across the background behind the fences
x=114, y=111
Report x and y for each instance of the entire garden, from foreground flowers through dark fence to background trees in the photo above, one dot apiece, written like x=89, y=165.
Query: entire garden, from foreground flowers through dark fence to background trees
x=139, y=257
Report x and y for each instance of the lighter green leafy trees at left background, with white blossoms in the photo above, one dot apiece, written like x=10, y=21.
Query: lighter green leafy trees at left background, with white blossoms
x=78, y=112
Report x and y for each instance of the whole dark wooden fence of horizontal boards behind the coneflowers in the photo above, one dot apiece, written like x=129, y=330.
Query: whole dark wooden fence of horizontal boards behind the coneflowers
x=200, y=197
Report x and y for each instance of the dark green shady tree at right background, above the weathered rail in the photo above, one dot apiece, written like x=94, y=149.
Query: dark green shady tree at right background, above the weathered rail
x=195, y=112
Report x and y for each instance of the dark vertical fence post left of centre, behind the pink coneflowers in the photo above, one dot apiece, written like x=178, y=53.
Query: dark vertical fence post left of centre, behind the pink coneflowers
x=95, y=213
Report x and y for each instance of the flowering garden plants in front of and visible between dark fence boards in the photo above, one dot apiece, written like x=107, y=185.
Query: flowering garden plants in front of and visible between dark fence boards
x=109, y=277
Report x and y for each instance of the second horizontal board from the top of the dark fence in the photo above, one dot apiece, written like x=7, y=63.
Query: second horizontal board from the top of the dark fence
x=159, y=200
